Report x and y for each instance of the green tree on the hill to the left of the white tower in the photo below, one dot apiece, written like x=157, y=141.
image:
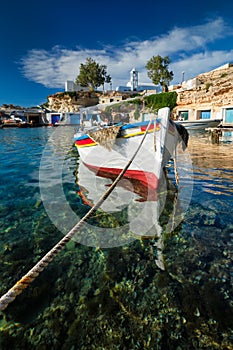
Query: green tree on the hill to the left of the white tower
x=92, y=74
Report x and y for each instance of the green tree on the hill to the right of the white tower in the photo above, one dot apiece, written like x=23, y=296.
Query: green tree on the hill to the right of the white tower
x=157, y=71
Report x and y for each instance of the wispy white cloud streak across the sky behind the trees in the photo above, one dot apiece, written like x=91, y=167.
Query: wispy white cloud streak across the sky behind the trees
x=187, y=48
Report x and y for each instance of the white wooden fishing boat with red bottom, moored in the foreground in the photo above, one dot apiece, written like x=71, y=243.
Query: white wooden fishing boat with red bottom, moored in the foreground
x=108, y=149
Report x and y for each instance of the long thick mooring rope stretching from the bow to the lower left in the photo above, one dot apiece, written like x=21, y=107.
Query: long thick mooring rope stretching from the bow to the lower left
x=24, y=282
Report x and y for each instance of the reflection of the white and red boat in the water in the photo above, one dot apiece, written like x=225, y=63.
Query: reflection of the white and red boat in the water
x=133, y=210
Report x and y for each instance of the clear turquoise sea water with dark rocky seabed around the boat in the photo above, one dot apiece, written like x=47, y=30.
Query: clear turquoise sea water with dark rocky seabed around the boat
x=119, y=297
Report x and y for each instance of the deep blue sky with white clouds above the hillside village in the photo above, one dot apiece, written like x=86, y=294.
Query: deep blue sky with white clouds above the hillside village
x=43, y=43
